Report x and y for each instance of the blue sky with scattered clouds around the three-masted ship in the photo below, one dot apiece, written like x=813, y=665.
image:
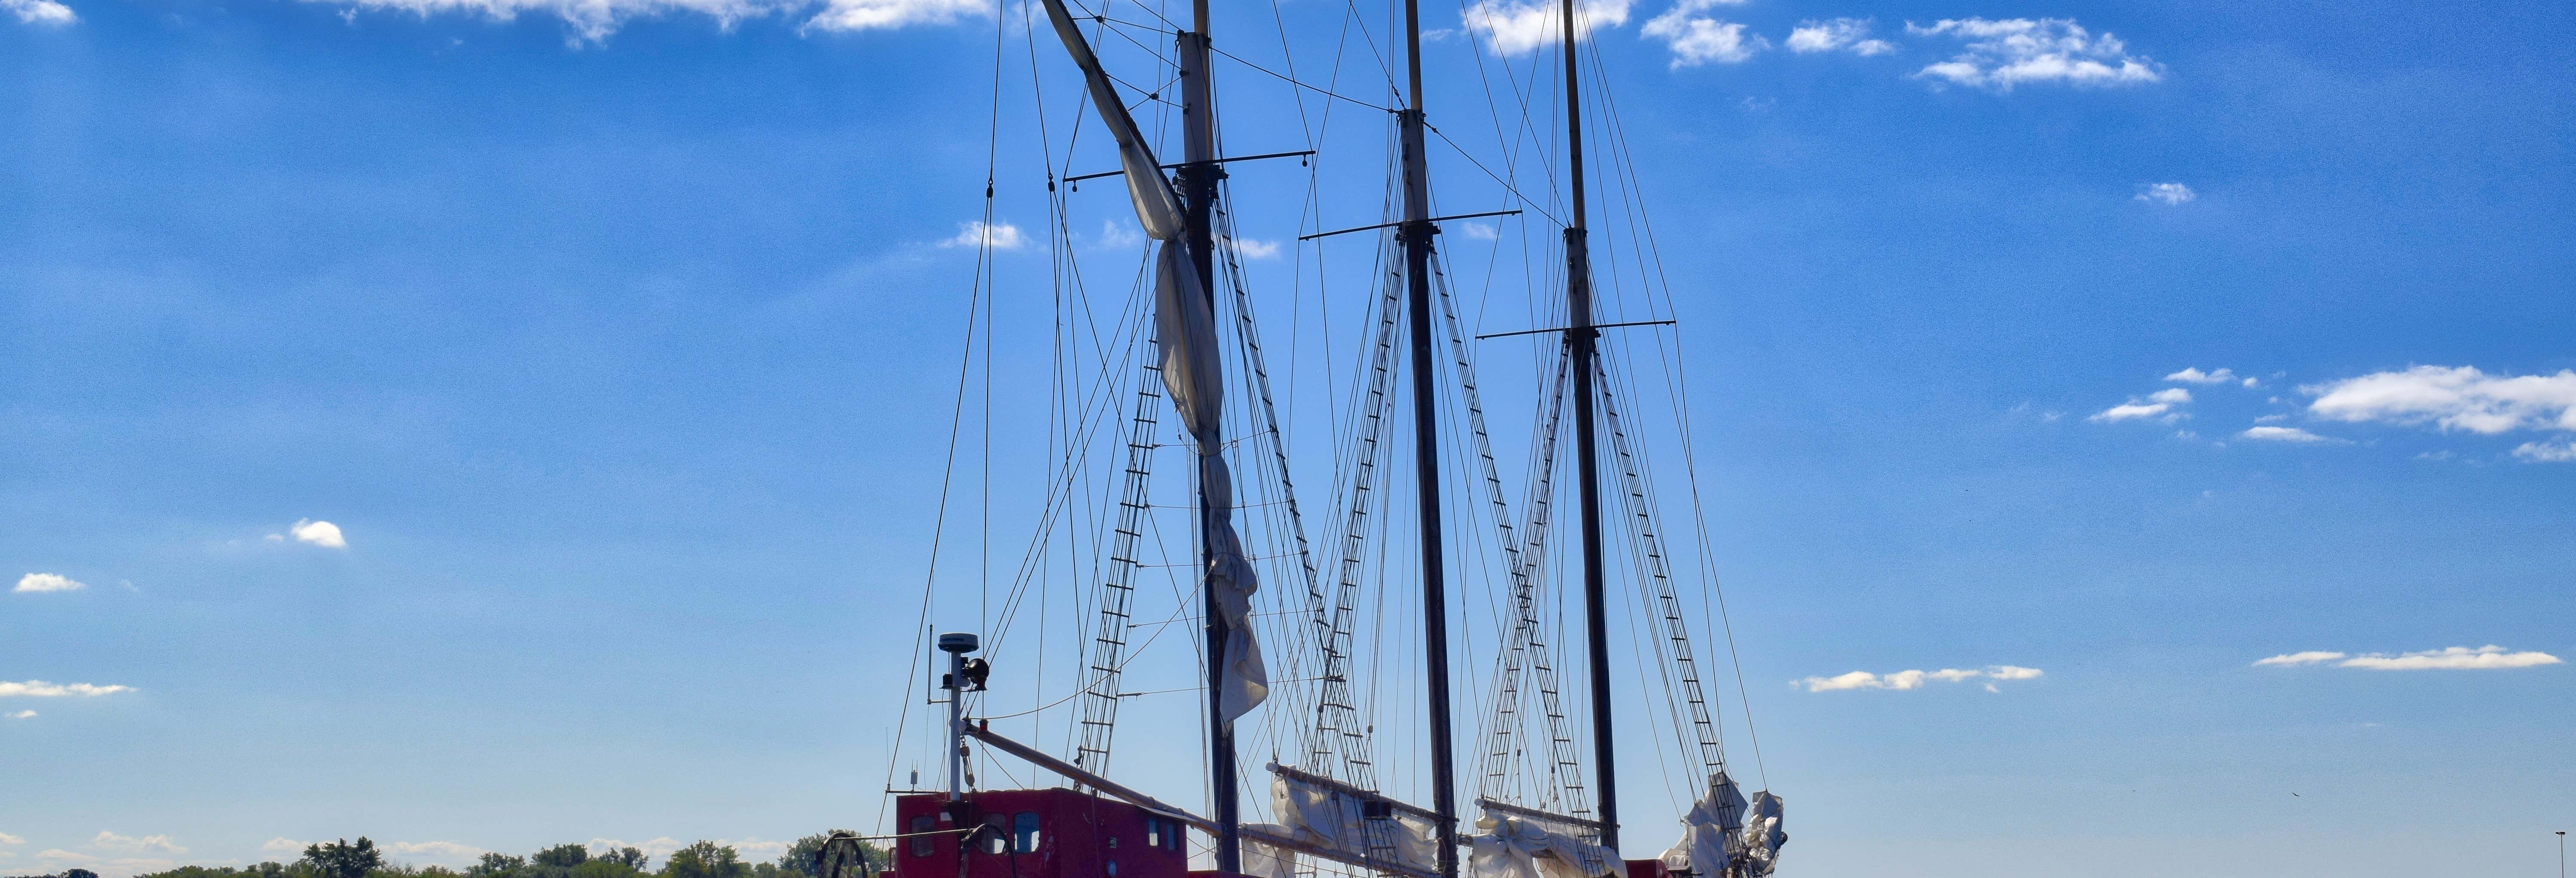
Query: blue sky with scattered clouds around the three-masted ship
x=620, y=346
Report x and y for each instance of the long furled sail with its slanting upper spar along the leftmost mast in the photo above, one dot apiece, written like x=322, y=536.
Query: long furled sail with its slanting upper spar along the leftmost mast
x=1186, y=331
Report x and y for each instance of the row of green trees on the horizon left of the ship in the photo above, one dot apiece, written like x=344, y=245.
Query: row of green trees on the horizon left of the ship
x=362, y=859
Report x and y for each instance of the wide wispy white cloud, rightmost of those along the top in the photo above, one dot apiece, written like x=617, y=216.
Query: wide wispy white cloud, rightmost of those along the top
x=2034, y=50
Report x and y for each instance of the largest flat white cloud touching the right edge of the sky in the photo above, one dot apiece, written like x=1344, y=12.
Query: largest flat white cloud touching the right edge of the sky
x=2451, y=398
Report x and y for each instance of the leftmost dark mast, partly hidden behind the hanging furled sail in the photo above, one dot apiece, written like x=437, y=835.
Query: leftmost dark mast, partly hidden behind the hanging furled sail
x=1199, y=176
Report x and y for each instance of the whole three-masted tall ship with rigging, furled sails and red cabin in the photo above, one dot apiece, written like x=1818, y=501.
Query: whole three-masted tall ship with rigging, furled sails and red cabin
x=1194, y=671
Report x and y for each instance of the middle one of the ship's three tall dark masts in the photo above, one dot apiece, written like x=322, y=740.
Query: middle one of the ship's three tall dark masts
x=1418, y=254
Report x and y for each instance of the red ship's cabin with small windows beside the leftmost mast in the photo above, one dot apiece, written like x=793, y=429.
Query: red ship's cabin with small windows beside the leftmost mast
x=1034, y=836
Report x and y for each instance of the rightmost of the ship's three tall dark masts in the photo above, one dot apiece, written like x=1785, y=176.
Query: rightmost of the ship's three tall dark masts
x=1583, y=341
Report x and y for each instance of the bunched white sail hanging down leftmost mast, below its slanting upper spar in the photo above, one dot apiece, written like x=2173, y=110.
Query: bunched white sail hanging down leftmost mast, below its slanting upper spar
x=1186, y=331
